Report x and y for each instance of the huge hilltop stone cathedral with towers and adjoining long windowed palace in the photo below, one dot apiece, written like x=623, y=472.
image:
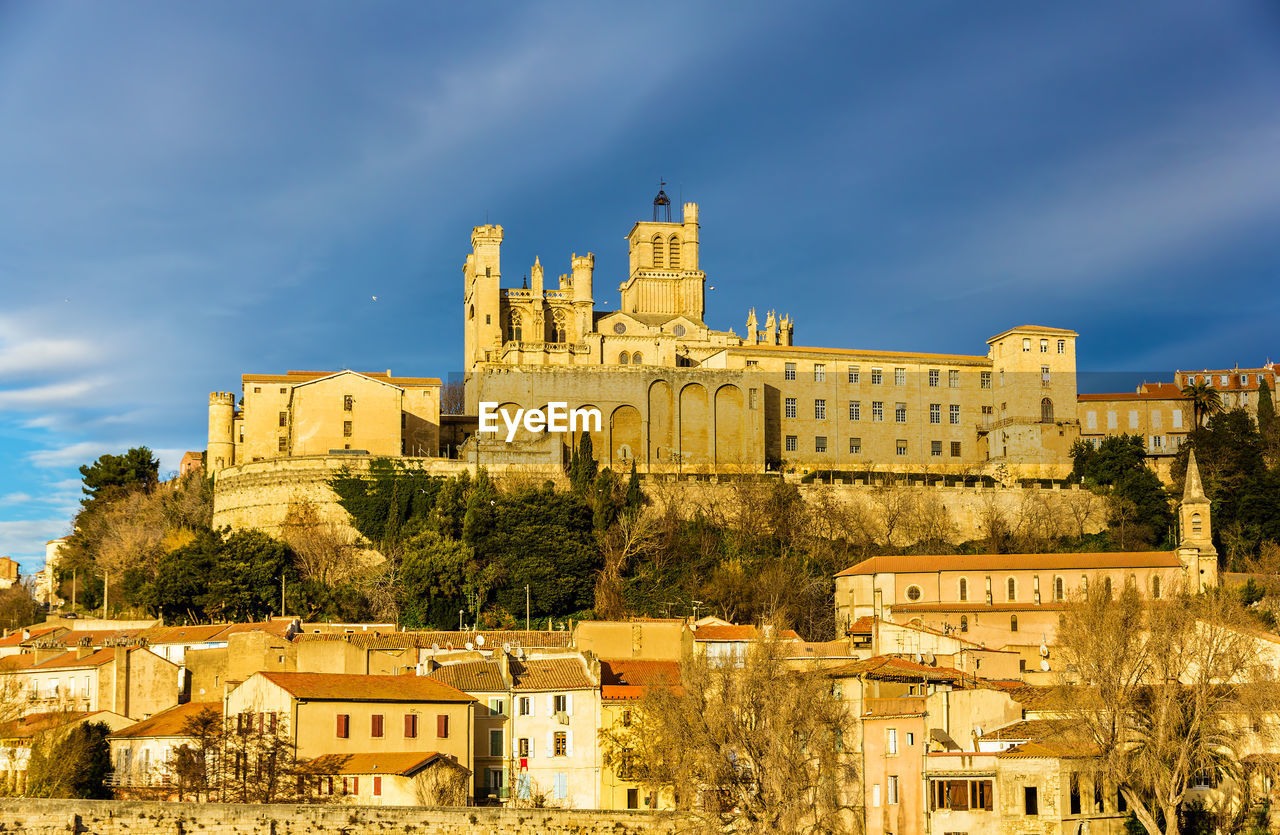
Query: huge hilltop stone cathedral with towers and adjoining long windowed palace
x=680, y=396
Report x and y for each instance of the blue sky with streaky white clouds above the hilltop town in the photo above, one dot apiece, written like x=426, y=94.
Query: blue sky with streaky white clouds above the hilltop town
x=195, y=191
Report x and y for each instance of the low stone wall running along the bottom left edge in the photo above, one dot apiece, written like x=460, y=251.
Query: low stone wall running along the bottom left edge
x=117, y=818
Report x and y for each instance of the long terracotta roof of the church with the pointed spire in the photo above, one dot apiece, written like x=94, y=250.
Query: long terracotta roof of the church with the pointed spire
x=1014, y=563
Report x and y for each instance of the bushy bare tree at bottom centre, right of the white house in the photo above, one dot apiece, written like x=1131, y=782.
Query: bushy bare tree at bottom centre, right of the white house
x=747, y=745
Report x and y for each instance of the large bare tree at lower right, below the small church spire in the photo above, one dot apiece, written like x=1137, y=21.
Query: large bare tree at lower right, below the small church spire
x=1163, y=691
